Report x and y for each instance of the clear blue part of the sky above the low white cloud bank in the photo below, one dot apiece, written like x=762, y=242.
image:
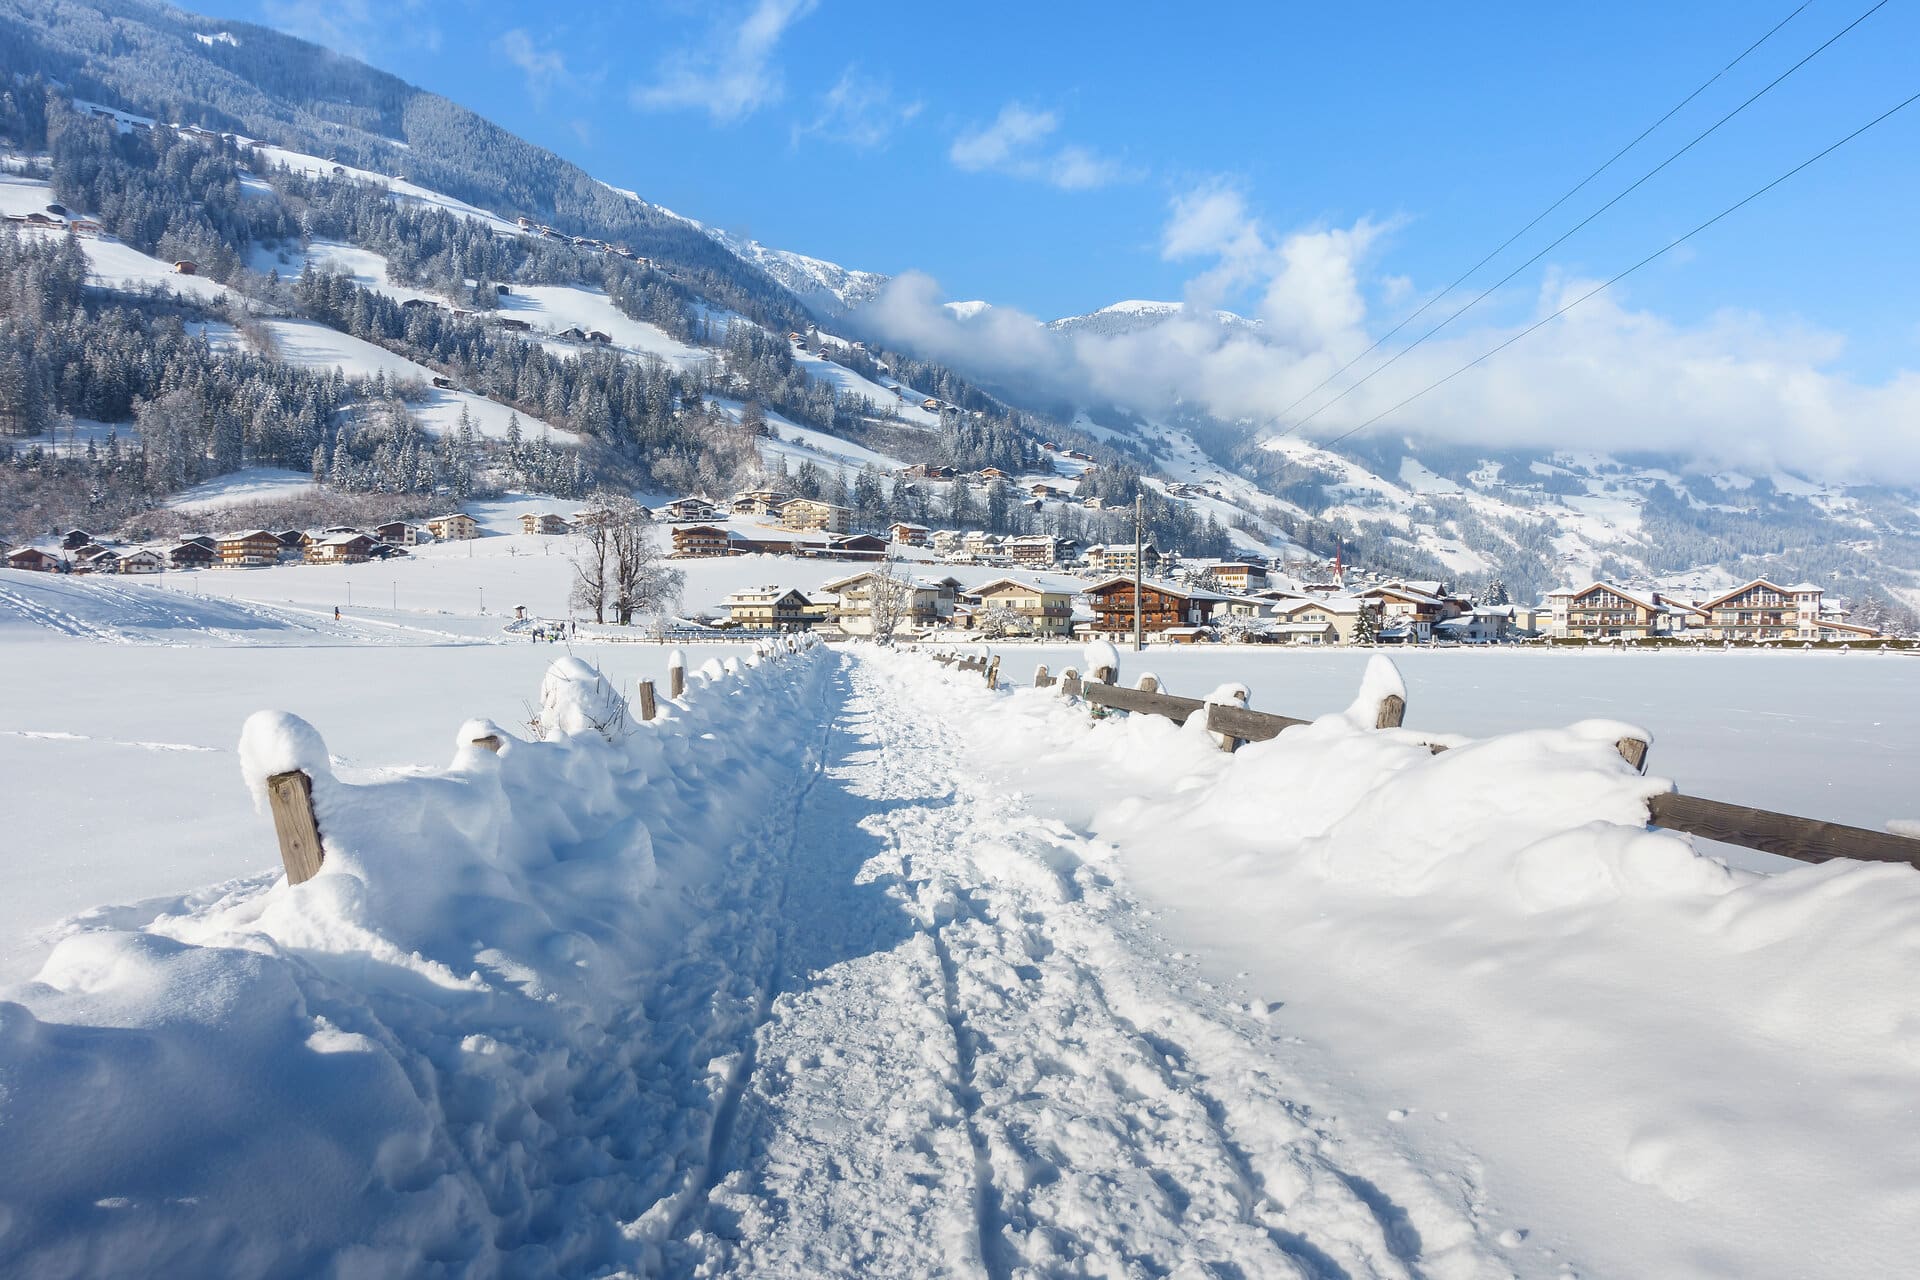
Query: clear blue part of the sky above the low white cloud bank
x=1030, y=154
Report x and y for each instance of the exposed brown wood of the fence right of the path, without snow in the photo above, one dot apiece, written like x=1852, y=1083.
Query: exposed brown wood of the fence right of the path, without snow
x=1806, y=840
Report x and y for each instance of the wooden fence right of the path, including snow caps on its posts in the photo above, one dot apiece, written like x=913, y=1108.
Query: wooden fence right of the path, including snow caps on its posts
x=1385, y=705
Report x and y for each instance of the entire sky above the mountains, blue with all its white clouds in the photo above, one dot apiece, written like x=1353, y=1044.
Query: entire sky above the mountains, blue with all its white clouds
x=1324, y=168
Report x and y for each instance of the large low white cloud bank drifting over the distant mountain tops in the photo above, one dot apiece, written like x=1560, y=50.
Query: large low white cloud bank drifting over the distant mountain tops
x=1737, y=391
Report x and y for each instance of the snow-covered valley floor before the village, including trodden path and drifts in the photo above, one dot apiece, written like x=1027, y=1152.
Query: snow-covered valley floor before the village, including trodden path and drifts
x=855, y=968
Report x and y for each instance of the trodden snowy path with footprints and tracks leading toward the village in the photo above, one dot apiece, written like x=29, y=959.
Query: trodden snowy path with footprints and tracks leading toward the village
x=982, y=1062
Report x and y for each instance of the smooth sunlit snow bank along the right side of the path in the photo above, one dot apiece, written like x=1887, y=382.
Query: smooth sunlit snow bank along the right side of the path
x=1664, y=1066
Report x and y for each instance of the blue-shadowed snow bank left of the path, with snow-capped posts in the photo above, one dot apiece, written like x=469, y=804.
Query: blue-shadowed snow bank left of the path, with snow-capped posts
x=429, y=1056
